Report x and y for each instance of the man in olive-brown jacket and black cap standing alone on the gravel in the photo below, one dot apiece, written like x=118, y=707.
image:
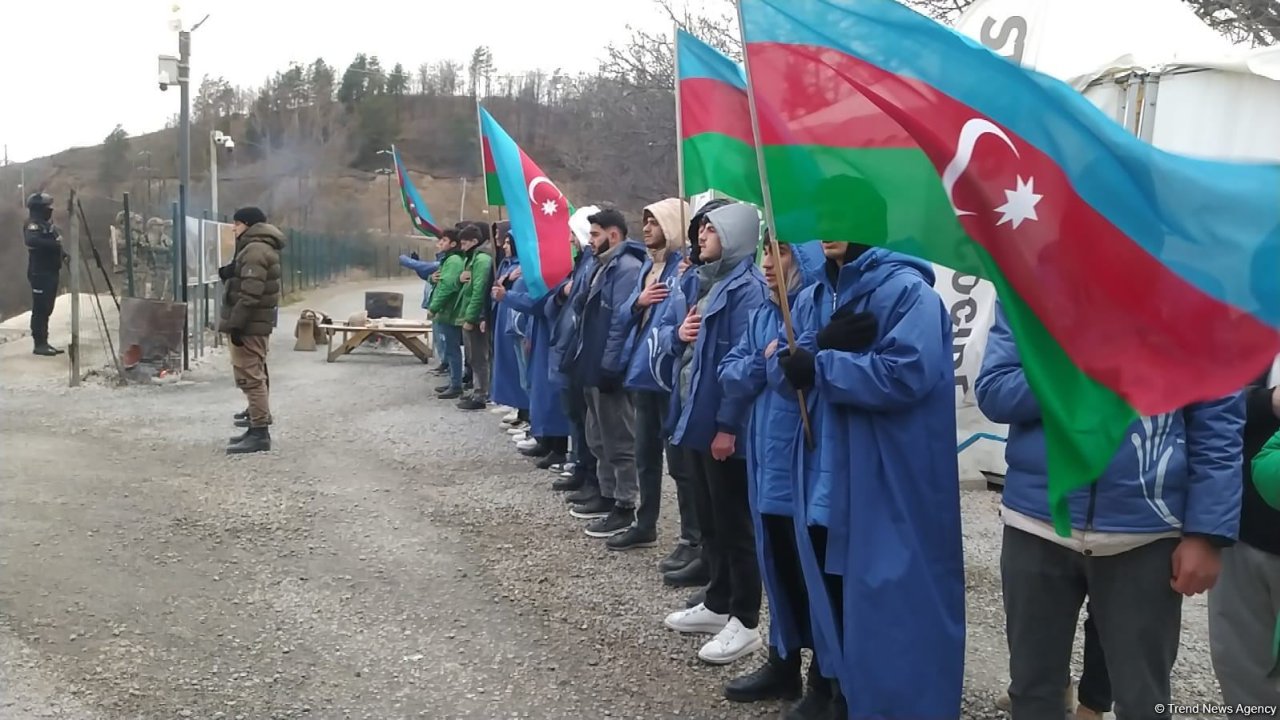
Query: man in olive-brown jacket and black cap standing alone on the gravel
x=250, y=303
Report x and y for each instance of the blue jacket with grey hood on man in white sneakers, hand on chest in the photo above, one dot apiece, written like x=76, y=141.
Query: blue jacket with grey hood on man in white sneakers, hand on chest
x=734, y=289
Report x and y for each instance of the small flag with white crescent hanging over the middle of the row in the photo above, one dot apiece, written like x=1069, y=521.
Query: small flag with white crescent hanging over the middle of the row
x=541, y=225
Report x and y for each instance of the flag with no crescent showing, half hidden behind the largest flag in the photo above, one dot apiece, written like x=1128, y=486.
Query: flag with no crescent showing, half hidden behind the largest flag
x=717, y=145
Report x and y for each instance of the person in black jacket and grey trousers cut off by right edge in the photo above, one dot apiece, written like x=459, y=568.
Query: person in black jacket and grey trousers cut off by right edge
x=1245, y=603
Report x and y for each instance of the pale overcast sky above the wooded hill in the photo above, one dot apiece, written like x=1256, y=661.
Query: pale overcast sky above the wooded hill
x=71, y=70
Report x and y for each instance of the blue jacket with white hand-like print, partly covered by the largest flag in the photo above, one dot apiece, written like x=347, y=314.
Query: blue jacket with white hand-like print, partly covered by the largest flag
x=1176, y=472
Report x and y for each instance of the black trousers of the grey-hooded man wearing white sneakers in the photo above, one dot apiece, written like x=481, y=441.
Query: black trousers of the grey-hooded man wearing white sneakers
x=729, y=536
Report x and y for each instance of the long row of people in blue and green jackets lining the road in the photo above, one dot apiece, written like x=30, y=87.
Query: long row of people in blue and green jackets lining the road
x=824, y=473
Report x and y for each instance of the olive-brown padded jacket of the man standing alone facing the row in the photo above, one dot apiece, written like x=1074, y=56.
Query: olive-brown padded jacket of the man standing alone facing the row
x=253, y=294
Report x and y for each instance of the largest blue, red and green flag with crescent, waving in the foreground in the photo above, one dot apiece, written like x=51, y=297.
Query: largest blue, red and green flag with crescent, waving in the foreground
x=1135, y=281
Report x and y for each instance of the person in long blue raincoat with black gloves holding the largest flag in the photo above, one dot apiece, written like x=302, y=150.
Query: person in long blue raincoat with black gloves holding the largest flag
x=880, y=493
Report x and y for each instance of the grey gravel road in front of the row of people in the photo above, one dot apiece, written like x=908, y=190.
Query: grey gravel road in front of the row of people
x=394, y=558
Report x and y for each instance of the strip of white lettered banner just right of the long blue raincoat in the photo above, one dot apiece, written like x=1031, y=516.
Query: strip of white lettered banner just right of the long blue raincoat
x=972, y=304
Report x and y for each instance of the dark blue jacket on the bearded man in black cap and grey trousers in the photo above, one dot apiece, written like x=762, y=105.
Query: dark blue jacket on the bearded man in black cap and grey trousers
x=605, y=343
